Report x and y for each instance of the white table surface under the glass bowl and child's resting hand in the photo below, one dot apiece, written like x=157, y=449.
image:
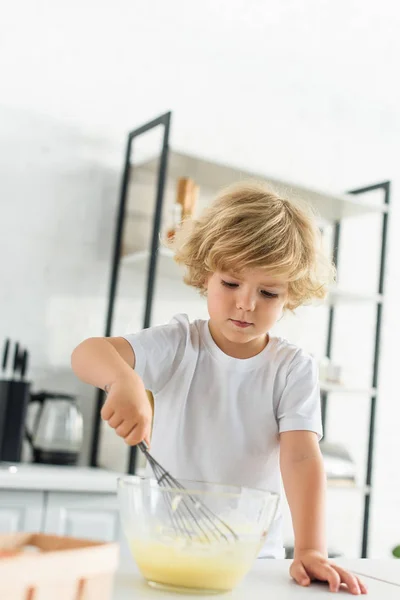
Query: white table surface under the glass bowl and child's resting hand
x=269, y=580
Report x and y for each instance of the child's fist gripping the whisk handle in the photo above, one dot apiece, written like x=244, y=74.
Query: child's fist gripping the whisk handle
x=127, y=410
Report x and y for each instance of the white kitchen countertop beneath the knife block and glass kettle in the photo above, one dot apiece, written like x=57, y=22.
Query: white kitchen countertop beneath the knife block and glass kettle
x=18, y=476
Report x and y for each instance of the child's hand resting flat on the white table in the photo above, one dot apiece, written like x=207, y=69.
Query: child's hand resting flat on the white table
x=310, y=565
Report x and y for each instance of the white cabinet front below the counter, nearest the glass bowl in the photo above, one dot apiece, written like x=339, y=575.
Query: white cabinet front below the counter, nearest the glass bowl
x=83, y=515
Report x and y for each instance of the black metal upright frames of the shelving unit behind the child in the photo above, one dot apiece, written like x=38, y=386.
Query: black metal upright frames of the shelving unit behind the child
x=165, y=122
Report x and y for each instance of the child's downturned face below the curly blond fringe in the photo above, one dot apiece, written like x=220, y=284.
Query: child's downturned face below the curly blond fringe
x=244, y=307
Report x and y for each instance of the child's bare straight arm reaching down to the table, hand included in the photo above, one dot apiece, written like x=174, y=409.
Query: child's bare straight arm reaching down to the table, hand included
x=305, y=482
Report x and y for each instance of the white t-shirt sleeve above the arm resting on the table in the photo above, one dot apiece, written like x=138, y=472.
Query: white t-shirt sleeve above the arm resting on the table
x=299, y=407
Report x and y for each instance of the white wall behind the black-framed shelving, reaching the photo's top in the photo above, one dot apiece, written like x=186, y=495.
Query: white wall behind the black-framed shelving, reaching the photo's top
x=305, y=91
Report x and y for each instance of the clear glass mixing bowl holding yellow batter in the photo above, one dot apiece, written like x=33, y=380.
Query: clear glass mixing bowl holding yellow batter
x=174, y=552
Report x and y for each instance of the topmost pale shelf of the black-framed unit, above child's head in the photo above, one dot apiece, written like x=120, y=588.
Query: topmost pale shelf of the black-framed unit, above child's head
x=214, y=176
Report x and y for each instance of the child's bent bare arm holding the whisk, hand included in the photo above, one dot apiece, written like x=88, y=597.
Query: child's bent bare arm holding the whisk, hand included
x=108, y=363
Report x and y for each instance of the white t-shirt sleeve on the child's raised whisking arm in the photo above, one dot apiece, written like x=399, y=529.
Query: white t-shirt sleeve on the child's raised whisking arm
x=159, y=351
